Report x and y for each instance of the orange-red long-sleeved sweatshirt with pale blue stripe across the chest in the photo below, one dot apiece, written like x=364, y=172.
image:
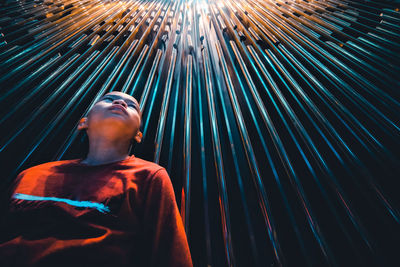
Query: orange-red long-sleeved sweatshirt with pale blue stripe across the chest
x=66, y=213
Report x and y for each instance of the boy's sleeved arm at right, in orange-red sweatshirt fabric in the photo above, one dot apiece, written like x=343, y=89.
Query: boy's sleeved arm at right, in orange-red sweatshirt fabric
x=163, y=224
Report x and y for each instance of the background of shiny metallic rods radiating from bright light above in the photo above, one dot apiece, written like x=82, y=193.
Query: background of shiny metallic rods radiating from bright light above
x=278, y=121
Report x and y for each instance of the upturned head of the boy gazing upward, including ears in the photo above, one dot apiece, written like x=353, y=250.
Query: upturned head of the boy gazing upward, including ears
x=115, y=113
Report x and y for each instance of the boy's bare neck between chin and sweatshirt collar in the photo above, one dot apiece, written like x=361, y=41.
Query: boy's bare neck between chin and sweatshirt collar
x=102, y=151
